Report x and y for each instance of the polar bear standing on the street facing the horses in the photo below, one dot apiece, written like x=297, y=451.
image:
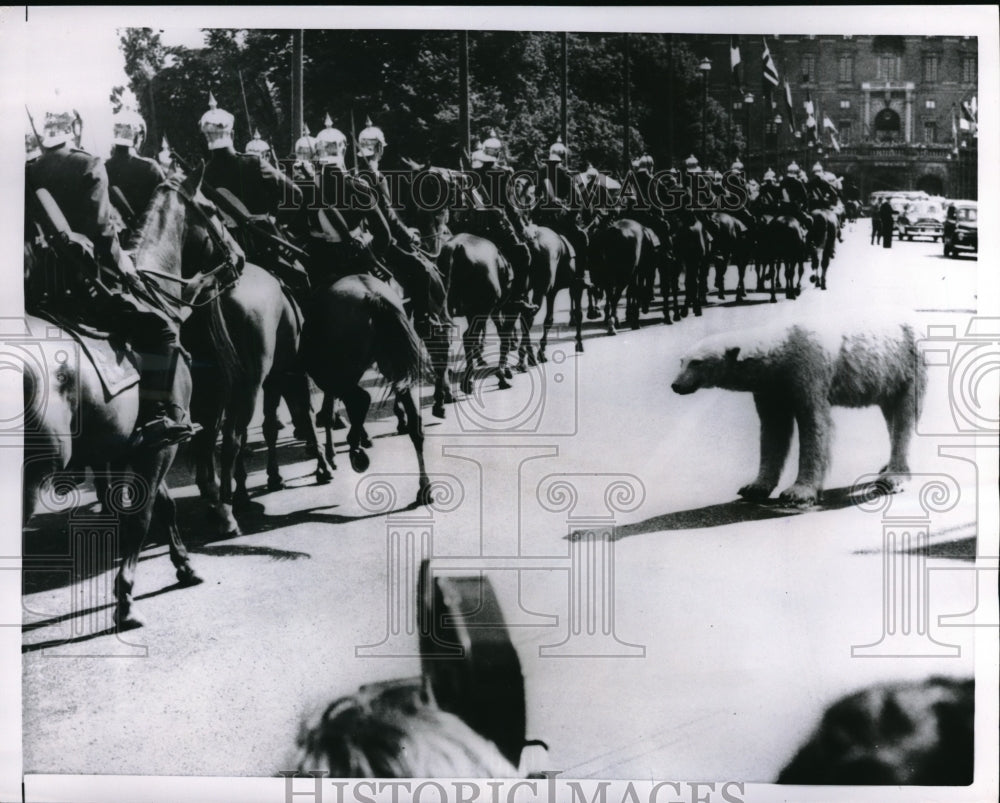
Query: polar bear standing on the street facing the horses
x=797, y=371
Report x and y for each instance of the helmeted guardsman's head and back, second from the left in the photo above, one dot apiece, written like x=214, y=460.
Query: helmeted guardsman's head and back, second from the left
x=132, y=178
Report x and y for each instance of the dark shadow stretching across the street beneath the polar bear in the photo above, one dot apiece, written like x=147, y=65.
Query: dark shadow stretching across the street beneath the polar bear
x=727, y=513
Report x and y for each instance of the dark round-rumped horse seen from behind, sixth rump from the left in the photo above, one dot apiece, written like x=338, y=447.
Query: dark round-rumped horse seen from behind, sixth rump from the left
x=620, y=252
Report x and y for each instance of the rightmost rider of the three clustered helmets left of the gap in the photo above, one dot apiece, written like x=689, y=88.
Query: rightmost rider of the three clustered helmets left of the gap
x=403, y=256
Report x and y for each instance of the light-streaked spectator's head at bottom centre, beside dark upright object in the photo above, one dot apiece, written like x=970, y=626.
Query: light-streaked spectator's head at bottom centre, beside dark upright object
x=394, y=731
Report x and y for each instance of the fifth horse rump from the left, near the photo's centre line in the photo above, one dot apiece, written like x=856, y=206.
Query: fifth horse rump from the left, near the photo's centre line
x=553, y=268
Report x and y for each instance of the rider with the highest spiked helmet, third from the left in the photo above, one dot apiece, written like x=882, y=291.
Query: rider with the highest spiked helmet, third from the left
x=265, y=193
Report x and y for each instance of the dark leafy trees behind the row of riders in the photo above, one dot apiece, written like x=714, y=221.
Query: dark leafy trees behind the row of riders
x=407, y=83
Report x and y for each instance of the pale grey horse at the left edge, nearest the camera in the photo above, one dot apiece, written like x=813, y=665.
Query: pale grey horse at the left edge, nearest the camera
x=71, y=424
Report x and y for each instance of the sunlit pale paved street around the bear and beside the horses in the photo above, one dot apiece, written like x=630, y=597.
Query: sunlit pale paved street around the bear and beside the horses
x=731, y=624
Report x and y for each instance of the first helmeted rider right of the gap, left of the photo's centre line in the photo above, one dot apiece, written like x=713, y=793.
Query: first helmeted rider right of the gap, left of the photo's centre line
x=500, y=219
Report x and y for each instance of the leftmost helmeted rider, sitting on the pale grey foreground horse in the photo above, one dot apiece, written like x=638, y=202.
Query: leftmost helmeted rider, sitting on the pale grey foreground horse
x=78, y=183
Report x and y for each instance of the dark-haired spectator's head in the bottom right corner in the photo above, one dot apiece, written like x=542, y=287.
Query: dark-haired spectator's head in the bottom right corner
x=895, y=734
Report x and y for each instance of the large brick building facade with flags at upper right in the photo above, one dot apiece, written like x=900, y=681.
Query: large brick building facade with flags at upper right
x=895, y=103
